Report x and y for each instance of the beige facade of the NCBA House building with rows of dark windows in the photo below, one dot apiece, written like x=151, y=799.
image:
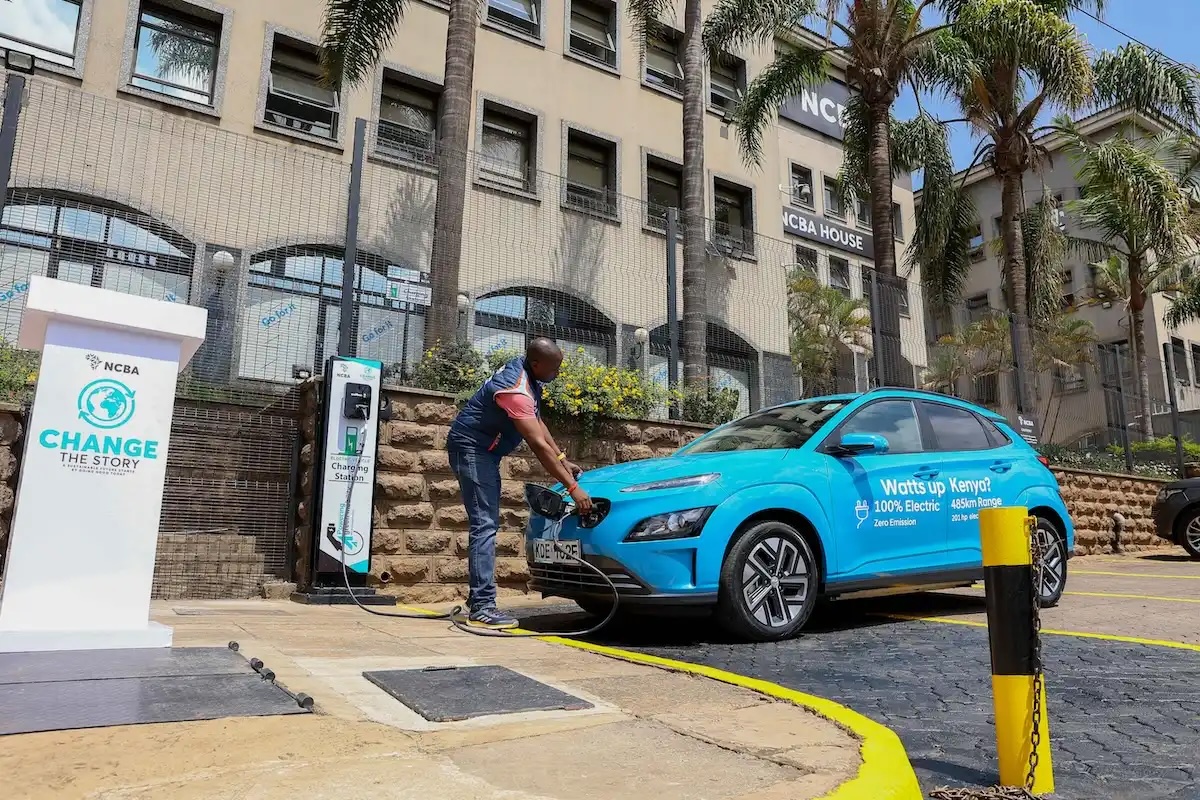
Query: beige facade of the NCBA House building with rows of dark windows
x=188, y=151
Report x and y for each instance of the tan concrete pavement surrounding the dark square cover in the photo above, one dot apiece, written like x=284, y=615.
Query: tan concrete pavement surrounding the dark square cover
x=651, y=733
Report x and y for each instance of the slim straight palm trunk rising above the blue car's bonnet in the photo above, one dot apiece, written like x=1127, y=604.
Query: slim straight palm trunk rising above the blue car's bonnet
x=695, y=267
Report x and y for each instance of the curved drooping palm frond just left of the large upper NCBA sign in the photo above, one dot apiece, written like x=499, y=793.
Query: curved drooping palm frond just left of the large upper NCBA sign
x=791, y=71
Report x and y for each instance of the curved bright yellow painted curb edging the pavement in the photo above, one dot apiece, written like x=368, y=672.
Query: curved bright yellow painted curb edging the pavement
x=885, y=773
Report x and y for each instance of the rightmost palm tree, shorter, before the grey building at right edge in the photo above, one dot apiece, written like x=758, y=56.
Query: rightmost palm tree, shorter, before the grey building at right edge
x=1138, y=222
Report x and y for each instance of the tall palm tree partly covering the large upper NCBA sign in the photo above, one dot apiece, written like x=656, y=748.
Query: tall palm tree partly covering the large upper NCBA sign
x=886, y=49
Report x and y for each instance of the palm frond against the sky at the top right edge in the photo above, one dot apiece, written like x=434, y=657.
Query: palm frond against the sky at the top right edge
x=1143, y=80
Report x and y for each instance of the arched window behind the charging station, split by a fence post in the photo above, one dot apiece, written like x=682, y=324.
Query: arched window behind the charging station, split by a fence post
x=292, y=311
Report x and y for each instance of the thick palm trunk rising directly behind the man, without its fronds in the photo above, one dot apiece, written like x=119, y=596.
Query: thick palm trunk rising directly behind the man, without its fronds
x=454, y=143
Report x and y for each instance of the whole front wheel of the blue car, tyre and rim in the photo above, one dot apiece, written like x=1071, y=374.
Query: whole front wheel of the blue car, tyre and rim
x=770, y=584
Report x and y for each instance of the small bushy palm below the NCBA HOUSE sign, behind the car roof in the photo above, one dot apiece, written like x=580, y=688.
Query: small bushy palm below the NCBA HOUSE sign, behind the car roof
x=824, y=326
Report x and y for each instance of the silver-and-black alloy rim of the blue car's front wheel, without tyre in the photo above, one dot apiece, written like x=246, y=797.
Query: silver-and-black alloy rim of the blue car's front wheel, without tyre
x=776, y=581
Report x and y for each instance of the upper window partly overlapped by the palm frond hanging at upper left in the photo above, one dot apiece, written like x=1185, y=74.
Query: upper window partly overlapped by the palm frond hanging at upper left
x=296, y=98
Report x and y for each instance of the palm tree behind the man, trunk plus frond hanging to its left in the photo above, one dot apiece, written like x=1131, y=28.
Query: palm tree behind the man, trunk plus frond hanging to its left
x=356, y=34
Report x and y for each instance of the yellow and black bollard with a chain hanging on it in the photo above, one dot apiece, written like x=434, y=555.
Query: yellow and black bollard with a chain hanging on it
x=1019, y=697
